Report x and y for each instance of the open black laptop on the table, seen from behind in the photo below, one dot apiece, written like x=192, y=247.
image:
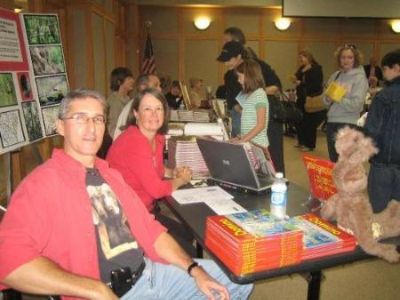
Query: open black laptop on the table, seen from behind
x=230, y=164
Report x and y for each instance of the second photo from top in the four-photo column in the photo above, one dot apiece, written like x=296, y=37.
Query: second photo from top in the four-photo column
x=47, y=60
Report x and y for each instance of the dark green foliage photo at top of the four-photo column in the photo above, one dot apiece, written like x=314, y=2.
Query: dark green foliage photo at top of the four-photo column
x=42, y=29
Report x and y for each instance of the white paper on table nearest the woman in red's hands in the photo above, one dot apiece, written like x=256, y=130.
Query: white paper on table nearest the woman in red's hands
x=194, y=195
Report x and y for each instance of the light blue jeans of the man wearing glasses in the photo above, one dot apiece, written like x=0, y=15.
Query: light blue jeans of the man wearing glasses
x=163, y=282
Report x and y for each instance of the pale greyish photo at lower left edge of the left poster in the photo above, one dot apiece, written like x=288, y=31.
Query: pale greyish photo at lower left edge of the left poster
x=11, y=128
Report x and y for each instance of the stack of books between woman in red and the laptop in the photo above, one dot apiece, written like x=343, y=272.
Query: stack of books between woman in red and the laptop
x=184, y=152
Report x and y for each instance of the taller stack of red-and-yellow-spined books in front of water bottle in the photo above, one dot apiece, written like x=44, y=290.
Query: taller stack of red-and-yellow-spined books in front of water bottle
x=253, y=241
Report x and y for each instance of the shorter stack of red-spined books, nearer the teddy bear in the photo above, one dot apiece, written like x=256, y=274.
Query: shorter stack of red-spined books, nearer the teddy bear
x=322, y=238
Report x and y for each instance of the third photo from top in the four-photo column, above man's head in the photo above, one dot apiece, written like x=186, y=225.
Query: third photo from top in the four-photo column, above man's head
x=51, y=89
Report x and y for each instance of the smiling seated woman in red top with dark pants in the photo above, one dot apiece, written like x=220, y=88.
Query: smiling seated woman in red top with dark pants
x=138, y=154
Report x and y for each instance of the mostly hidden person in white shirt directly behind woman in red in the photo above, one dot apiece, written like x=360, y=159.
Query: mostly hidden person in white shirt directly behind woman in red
x=143, y=82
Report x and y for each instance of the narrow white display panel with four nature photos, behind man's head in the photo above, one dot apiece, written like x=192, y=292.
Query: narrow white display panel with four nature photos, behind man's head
x=47, y=65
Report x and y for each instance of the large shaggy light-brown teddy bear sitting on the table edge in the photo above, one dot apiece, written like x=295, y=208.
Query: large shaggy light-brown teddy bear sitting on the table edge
x=350, y=206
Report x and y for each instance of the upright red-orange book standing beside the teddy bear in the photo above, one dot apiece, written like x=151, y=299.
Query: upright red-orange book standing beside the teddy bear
x=320, y=175
